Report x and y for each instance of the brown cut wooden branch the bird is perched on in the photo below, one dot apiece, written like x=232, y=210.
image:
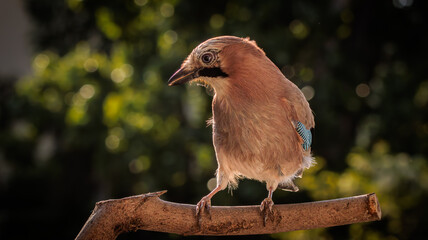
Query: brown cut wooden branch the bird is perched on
x=148, y=212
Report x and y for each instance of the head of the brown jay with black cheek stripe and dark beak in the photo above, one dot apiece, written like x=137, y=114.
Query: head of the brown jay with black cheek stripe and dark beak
x=220, y=62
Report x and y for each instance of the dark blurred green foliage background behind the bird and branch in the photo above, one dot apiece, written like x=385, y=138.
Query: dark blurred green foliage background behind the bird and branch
x=96, y=120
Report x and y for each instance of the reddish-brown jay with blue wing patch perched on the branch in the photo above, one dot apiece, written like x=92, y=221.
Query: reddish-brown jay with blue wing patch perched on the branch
x=261, y=121
